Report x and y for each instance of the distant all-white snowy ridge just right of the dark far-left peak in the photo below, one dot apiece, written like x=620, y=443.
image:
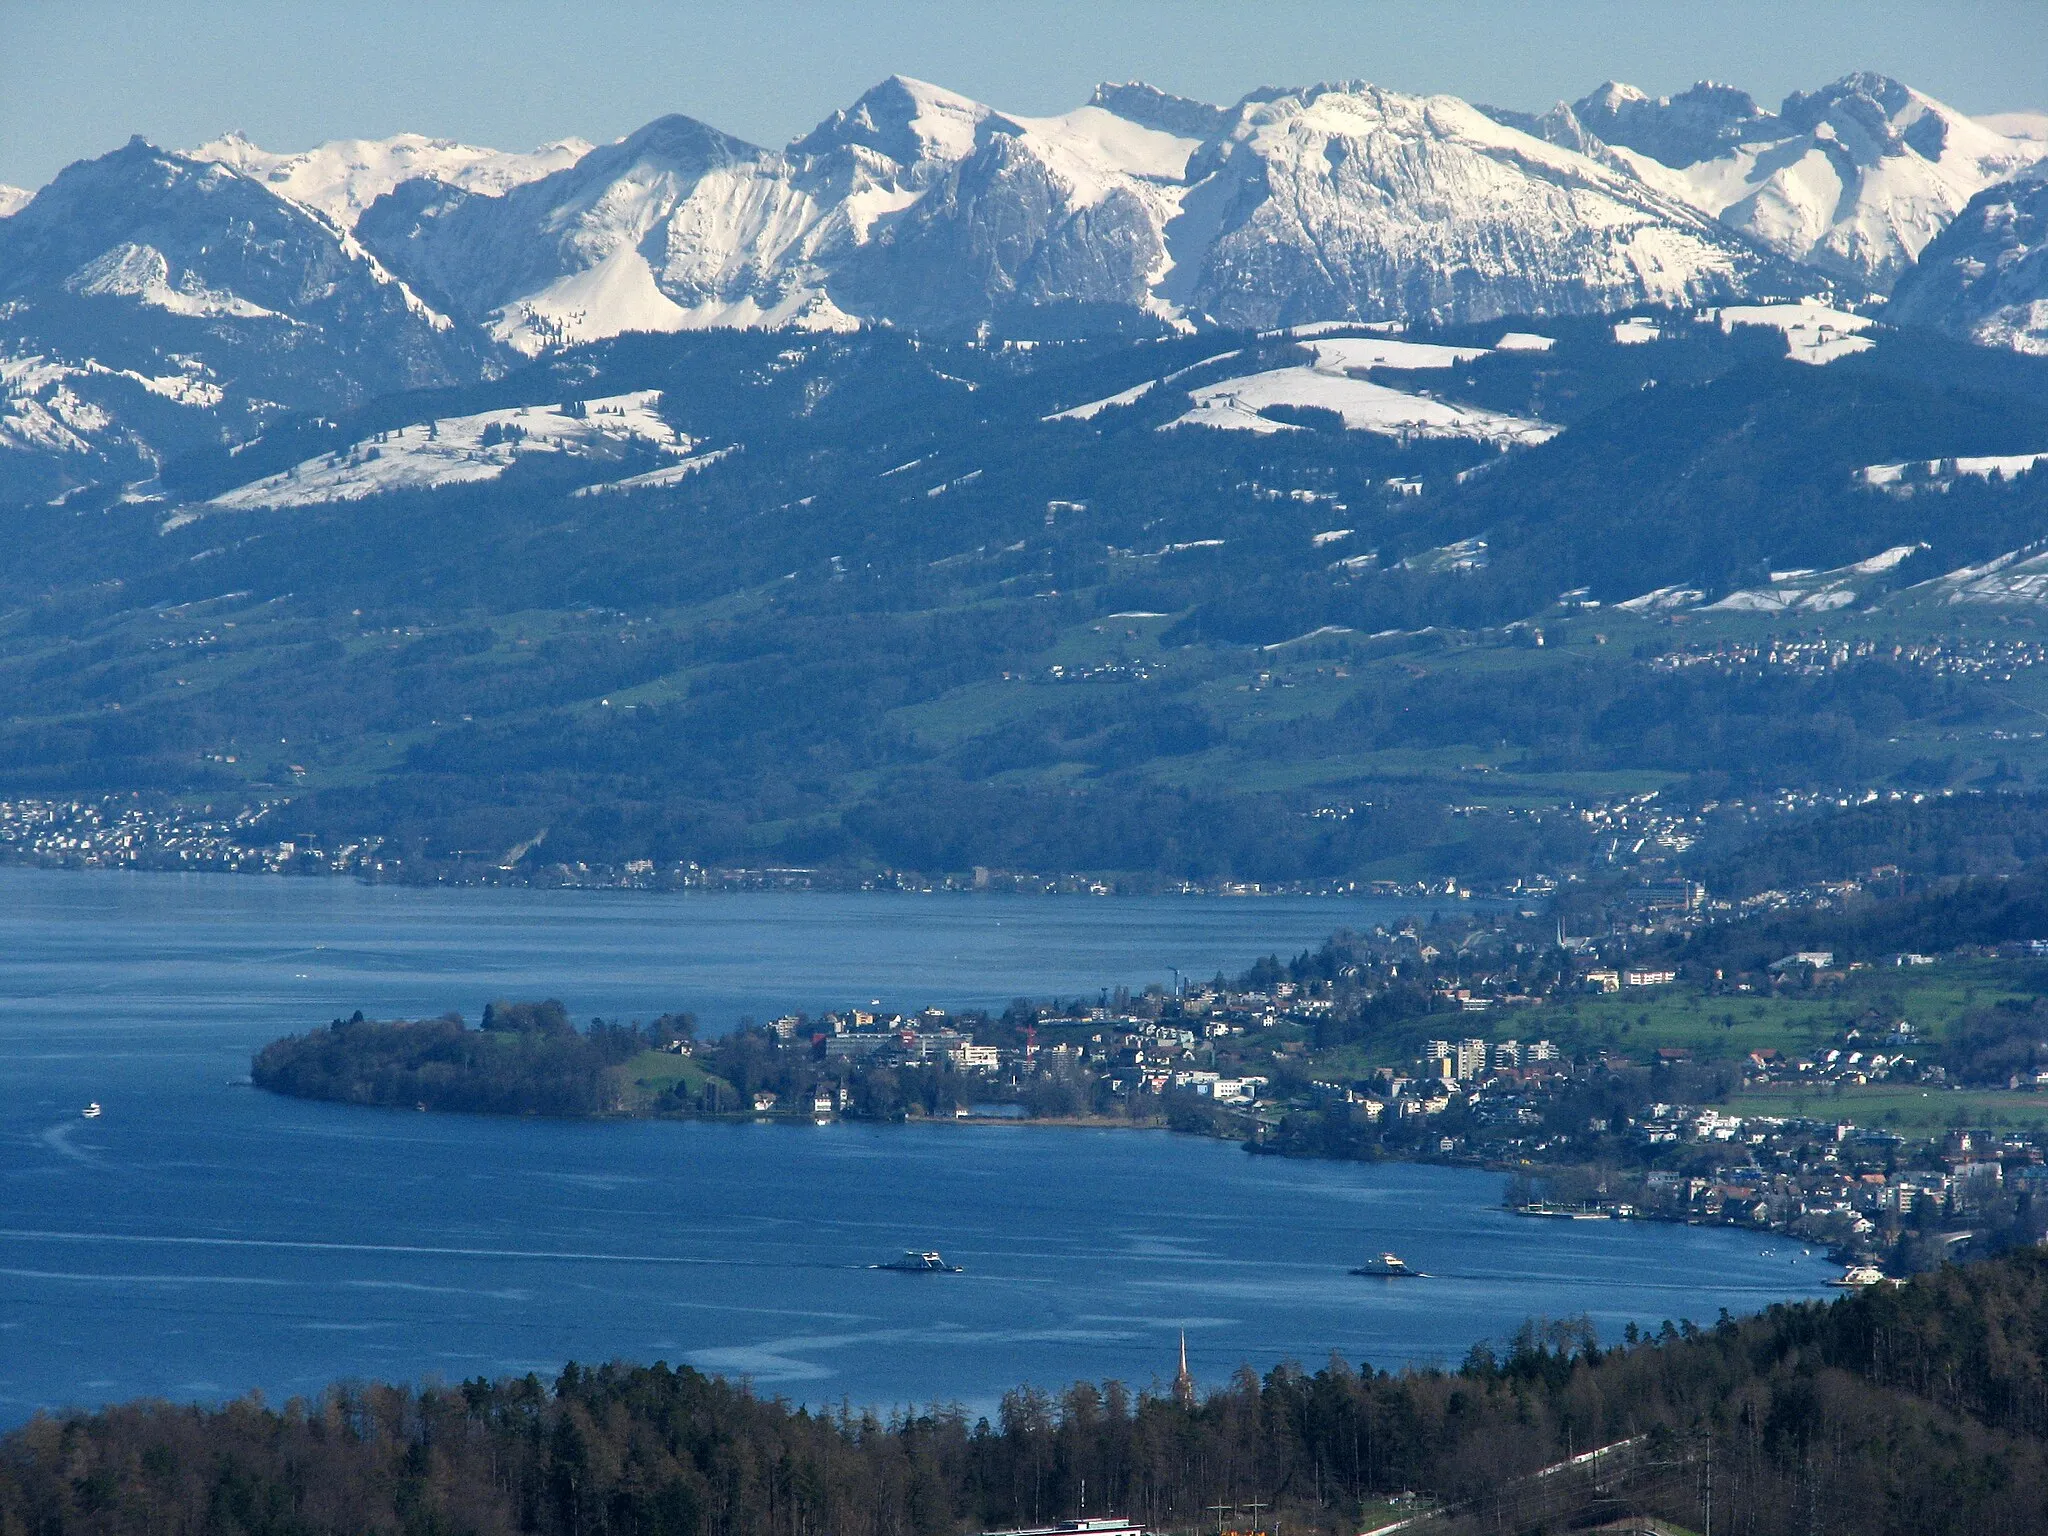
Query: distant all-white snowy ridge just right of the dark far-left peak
x=345, y=177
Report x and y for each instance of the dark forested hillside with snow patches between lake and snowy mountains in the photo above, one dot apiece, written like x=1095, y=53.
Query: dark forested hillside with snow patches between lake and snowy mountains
x=890, y=603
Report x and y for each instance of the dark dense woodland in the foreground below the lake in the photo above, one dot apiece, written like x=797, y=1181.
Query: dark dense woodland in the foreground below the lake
x=1900, y=1410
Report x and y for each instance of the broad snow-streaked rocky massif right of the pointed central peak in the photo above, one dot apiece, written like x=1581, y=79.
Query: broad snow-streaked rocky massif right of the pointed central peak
x=1355, y=202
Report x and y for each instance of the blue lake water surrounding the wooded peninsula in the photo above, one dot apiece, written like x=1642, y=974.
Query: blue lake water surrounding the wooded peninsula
x=204, y=1240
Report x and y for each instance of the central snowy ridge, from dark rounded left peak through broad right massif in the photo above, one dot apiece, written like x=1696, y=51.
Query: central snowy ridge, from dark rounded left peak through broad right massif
x=923, y=208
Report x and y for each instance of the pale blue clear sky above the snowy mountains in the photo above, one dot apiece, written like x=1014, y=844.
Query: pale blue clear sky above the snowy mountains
x=81, y=77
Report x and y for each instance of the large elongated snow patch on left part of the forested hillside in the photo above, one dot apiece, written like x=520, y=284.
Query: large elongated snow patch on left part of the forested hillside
x=454, y=452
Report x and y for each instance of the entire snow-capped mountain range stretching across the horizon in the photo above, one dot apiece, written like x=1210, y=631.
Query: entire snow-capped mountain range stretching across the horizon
x=159, y=300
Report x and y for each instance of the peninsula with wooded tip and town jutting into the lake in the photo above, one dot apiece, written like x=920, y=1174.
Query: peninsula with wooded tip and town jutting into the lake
x=1887, y=1115
